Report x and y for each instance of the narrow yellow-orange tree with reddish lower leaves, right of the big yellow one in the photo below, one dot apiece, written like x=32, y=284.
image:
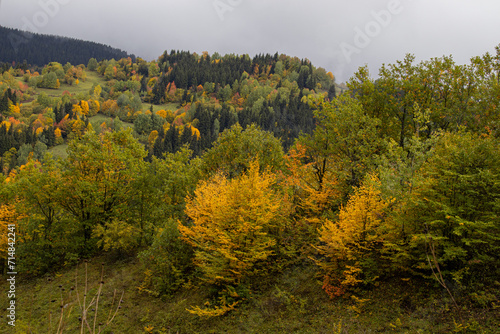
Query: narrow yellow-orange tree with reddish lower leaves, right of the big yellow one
x=352, y=245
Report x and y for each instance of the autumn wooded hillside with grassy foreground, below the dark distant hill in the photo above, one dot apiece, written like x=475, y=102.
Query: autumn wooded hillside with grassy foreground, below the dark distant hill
x=225, y=193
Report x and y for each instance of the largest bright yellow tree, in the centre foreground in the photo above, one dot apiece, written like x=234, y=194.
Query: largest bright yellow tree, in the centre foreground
x=235, y=225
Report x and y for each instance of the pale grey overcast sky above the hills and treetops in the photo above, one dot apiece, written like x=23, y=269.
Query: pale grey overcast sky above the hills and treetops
x=338, y=35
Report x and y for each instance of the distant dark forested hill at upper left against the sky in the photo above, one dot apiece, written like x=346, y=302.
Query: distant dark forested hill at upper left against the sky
x=39, y=49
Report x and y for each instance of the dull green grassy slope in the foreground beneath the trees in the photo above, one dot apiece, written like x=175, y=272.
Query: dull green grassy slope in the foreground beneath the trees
x=291, y=302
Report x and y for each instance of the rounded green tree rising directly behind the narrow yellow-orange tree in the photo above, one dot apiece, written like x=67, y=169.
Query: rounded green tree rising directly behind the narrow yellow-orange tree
x=345, y=143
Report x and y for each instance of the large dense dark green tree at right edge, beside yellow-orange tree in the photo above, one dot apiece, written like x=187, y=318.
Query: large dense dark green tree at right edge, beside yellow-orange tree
x=454, y=210
